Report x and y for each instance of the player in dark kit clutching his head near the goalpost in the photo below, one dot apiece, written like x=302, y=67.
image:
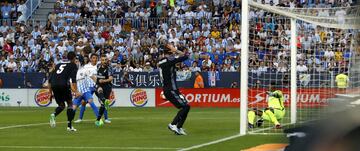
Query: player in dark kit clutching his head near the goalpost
x=171, y=91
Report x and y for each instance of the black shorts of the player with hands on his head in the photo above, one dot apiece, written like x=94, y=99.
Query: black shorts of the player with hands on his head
x=176, y=98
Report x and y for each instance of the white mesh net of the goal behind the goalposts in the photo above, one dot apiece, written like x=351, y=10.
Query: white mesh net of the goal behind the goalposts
x=323, y=52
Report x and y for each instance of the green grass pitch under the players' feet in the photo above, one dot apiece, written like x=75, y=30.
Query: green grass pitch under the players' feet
x=131, y=129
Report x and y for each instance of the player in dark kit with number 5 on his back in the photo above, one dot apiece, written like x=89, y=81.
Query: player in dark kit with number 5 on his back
x=61, y=88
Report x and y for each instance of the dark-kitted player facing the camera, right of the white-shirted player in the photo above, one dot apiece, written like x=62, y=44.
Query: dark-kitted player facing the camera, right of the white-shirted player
x=104, y=85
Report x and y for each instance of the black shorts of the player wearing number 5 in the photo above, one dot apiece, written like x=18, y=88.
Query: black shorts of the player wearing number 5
x=62, y=94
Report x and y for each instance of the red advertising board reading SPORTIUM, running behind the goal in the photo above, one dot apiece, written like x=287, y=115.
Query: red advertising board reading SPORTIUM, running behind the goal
x=228, y=97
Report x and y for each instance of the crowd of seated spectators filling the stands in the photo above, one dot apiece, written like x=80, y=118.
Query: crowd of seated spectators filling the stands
x=128, y=32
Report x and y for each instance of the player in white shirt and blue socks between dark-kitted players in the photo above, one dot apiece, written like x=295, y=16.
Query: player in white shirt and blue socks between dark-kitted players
x=85, y=79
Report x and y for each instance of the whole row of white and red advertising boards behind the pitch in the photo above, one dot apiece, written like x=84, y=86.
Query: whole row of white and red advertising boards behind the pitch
x=153, y=97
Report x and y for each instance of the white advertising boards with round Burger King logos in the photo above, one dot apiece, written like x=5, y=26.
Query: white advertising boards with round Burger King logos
x=135, y=97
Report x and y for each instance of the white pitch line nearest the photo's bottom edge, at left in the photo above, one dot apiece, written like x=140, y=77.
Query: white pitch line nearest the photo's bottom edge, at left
x=87, y=148
